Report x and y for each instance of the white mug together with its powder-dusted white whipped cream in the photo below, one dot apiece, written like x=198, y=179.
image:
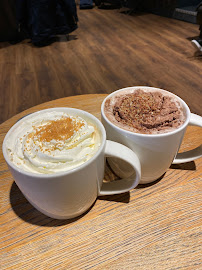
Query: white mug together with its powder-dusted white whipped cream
x=57, y=159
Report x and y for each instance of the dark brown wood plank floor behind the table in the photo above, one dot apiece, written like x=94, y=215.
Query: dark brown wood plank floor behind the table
x=110, y=50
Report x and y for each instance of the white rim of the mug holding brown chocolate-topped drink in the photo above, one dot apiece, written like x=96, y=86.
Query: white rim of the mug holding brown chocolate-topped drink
x=185, y=106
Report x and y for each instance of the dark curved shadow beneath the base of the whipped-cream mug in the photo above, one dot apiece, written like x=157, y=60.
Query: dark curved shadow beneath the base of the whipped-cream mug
x=24, y=210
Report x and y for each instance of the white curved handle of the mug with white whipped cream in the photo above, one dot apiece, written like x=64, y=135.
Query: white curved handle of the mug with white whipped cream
x=114, y=149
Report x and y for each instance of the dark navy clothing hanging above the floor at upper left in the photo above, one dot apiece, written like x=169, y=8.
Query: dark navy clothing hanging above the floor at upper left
x=41, y=20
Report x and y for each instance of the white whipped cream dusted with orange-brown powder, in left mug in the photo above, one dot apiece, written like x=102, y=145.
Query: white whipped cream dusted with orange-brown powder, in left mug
x=52, y=142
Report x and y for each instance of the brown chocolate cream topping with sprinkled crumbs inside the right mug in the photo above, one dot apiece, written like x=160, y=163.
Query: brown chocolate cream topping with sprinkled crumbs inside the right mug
x=145, y=111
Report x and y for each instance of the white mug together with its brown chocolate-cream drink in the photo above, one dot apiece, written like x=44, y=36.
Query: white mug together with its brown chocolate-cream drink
x=152, y=122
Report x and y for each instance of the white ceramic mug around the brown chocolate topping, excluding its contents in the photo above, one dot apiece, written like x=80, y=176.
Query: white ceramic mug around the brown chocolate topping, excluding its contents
x=156, y=152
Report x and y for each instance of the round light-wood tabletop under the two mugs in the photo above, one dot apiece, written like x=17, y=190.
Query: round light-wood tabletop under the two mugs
x=156, y=226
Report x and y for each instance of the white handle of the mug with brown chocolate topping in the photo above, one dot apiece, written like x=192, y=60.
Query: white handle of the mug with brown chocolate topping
x=195, y=120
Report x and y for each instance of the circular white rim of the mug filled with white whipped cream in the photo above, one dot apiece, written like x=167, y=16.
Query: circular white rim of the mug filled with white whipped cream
x=63, y=173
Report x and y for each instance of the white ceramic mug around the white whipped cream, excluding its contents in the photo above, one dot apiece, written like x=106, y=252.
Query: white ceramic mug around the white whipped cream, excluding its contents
x=68, y=194
